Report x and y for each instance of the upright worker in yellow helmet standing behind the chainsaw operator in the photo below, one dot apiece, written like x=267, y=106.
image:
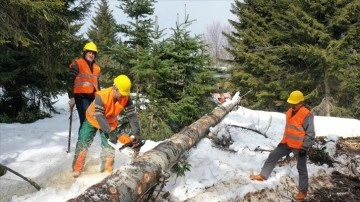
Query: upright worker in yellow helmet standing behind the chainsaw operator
x=83, y=80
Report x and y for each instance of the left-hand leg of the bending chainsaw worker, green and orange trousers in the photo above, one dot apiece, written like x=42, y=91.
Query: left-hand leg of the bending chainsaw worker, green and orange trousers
x=85, y=138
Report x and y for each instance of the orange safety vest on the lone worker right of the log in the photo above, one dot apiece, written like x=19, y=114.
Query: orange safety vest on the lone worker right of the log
x=294, y=132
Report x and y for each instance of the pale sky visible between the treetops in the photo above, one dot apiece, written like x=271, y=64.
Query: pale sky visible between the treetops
x=205, y=12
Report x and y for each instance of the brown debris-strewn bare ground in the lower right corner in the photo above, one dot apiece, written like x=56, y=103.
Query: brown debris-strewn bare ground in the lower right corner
x=342, y=185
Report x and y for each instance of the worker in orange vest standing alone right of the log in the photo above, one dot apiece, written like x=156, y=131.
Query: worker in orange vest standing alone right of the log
x=299, y=136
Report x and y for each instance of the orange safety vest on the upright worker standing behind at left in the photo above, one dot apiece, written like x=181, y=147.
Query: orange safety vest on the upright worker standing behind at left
x=86, y=81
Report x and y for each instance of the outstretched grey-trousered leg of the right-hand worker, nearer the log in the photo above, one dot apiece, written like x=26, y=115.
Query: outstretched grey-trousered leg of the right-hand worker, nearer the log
x=280, y=151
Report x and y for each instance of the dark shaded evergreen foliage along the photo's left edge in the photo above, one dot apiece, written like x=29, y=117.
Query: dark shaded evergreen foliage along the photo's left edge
x=35, y=37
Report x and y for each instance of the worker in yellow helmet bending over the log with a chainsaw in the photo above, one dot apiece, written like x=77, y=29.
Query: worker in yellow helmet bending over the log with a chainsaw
x=102, y=115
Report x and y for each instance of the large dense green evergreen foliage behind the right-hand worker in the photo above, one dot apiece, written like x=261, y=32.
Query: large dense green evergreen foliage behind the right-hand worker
x=284, y=45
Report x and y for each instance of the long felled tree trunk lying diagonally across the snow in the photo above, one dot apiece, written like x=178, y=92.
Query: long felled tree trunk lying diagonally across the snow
x=130, y=183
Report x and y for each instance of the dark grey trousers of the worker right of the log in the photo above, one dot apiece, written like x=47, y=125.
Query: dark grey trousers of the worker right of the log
x=280, y=151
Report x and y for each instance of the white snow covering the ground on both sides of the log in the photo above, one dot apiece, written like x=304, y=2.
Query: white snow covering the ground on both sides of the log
x=38, y=151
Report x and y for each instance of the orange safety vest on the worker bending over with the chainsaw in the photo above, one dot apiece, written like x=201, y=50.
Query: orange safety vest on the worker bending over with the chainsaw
x=112, y=108
